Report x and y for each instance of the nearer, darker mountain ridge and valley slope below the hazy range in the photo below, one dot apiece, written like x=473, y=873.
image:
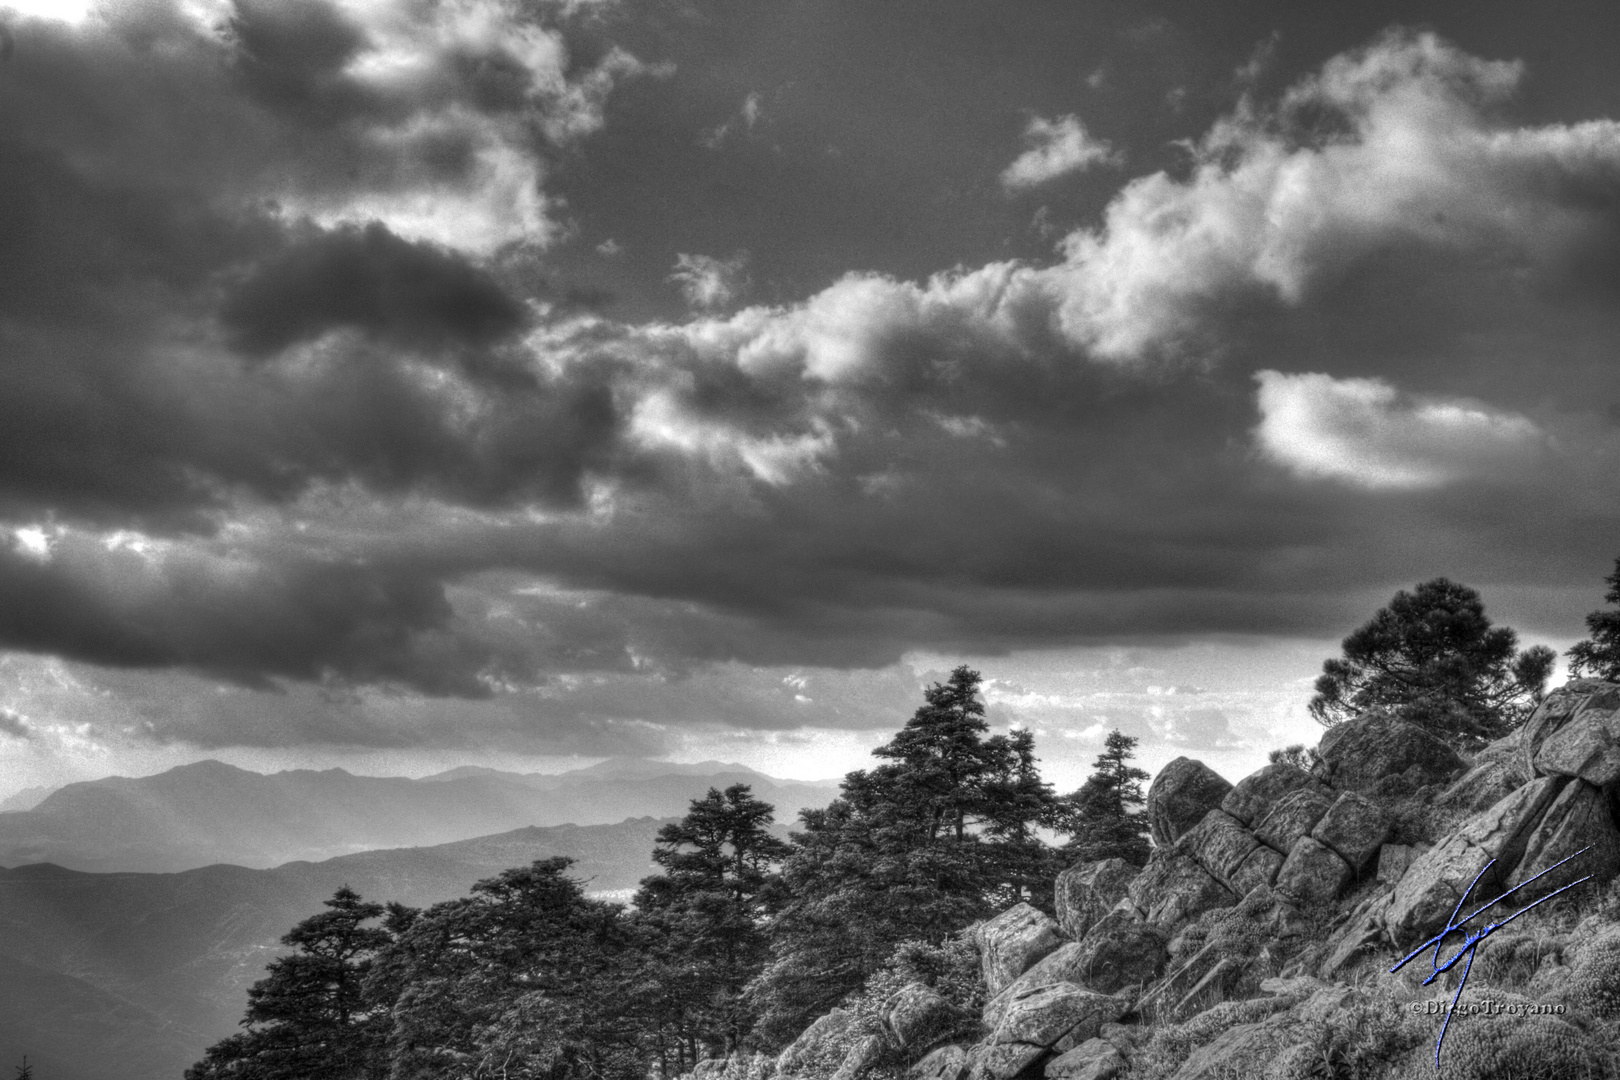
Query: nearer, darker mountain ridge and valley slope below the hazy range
x=134, y=976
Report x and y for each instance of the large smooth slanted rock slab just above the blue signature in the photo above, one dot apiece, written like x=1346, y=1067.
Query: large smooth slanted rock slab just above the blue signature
x=1428, y=893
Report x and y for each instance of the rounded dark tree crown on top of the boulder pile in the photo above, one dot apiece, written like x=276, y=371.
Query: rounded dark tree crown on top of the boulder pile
x=1435, y=660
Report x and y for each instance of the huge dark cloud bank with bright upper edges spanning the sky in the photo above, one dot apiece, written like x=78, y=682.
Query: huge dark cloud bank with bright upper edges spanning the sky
x=1253, y=396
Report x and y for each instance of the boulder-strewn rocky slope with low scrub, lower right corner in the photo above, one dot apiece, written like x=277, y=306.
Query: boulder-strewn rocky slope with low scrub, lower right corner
x=1260, y=938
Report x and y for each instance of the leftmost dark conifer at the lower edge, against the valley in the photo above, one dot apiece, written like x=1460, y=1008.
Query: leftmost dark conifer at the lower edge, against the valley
x=310, y=1014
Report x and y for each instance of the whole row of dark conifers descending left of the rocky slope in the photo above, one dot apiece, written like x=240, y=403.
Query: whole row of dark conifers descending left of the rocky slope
x=740, y=943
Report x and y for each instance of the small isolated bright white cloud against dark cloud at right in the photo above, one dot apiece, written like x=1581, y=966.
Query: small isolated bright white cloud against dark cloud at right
x=1362, y=432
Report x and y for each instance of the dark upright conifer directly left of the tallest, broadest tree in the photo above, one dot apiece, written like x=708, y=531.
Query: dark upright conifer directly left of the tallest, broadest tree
x=702, y=919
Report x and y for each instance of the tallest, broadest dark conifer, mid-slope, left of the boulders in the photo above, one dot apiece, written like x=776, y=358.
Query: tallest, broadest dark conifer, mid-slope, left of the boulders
x=911, y=851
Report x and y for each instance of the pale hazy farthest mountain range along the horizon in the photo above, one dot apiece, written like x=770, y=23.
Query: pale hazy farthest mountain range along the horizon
x=210, y=812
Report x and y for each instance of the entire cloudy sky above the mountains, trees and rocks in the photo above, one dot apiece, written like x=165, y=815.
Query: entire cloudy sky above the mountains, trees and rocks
x=398, y=385
